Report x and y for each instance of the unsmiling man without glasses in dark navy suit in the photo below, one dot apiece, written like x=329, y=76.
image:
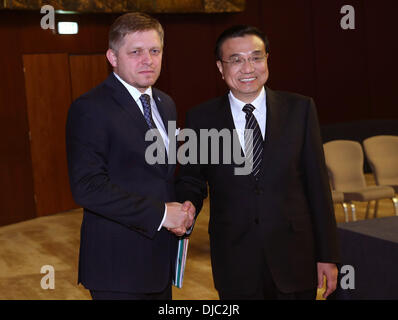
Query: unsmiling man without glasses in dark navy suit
x=126, y=251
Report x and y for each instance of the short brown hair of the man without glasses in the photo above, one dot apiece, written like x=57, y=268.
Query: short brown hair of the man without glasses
x=129, y=23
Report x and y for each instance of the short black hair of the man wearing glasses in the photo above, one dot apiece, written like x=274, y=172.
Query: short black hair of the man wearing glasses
x=239, y=31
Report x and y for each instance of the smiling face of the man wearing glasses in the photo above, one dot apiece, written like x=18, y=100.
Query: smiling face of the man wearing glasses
x=245, y=78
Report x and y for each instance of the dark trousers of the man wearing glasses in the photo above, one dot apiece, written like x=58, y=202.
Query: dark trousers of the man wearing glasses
x=267, y=290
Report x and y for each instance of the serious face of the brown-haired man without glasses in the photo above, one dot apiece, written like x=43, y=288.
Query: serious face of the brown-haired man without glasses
x=139, y=59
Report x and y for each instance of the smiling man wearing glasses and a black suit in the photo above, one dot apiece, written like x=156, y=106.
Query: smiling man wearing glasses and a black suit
x=273, y=231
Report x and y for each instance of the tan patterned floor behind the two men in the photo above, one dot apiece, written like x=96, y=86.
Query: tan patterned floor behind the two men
x=54, y=240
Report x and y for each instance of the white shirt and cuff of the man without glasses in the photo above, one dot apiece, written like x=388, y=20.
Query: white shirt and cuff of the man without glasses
x=136, y=94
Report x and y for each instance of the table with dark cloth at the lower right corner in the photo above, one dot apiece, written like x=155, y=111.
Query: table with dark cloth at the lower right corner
x=371, y=247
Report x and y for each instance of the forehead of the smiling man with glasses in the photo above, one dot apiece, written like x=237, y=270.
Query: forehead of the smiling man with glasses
x=245, y=44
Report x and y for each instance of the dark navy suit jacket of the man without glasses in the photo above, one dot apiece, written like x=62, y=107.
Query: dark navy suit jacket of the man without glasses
x=122, y=195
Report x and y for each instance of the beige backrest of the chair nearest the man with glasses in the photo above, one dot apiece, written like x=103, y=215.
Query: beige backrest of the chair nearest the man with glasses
x=344, y=161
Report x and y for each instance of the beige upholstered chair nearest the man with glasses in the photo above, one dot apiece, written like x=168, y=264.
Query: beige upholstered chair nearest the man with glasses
x=344, y=161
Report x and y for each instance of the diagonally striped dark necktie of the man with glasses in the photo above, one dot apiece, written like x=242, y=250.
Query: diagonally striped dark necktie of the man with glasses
x=253, y=143
